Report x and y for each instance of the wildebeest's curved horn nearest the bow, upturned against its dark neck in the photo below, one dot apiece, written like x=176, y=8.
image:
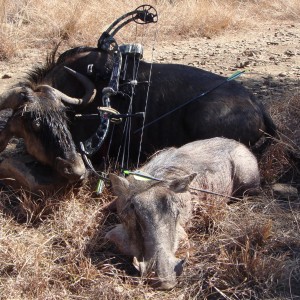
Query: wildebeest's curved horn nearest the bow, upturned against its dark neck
x=89, y=87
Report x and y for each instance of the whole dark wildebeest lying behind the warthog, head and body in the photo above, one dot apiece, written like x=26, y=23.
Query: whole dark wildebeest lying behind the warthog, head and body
x=229, y=111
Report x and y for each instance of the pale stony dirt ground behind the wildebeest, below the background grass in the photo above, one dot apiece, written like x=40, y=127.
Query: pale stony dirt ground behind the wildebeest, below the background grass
x=270, y=53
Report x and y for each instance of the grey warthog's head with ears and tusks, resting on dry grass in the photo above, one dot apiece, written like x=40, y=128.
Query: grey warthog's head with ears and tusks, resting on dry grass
x=152, y=218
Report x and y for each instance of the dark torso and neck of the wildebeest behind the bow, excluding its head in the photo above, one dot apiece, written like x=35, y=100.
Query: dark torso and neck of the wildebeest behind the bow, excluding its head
x=229, y=111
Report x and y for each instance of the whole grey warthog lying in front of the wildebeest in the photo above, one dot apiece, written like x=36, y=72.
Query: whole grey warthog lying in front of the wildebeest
x=154, y=213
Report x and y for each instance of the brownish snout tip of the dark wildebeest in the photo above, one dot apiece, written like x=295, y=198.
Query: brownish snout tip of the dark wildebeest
x=71, y=169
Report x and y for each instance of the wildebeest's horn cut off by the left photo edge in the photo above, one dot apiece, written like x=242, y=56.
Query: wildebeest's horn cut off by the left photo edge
x=13, y=98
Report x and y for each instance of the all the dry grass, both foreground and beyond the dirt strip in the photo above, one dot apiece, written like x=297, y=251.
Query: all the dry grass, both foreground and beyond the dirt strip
x=53, y=247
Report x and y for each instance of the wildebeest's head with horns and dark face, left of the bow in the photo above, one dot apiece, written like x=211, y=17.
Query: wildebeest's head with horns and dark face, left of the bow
x=39, y=117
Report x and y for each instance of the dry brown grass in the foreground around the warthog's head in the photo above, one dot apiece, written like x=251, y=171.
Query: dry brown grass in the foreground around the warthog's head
x=245, y=250
